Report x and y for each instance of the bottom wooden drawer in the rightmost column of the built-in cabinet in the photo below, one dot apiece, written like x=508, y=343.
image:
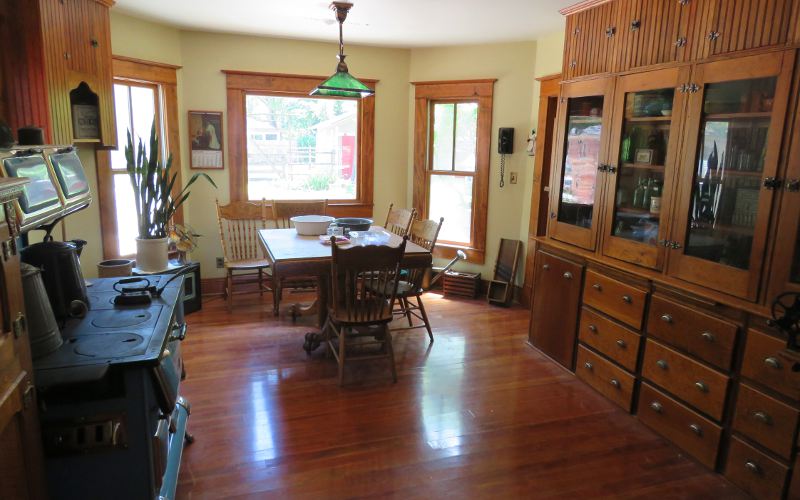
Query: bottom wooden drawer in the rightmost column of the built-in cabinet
x=754, y=472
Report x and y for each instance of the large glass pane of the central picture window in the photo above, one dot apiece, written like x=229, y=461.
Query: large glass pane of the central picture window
x=301, y=148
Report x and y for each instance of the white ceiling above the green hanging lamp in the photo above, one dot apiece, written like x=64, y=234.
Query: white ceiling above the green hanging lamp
x=409, y=23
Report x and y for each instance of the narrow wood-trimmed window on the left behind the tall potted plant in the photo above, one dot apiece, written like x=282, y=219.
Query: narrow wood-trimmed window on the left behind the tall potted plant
x=144, y=92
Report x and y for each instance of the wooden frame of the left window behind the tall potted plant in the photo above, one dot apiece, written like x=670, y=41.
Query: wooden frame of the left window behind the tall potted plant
x=164, y=78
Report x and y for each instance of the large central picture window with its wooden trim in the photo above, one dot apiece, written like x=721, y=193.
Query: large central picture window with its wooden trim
x=284, y=144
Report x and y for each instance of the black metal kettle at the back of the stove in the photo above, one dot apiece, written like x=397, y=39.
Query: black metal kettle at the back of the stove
x=62, y=276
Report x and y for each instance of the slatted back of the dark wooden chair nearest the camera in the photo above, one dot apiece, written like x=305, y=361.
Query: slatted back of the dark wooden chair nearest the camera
x=364, y=282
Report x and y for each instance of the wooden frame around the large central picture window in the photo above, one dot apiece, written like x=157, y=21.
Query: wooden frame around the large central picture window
x=242, y=83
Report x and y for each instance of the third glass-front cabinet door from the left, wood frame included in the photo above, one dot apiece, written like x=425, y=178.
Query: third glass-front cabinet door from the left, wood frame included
x=735, y=117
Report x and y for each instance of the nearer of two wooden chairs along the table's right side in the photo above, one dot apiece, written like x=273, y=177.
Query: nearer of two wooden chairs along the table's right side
x=424, y=233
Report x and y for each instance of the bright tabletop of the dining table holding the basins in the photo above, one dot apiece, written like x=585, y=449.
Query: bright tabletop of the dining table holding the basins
x=286, y=245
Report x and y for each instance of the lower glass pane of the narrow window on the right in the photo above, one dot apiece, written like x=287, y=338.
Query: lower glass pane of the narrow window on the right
x=451, y=198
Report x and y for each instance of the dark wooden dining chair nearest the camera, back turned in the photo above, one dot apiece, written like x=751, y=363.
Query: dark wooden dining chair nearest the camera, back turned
x=364, y=285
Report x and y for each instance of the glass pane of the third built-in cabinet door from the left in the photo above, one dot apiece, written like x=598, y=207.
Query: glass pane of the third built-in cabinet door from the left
x=730, y=162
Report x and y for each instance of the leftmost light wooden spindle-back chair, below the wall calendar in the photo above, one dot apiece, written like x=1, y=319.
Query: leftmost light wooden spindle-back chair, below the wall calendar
x=239, y=223
